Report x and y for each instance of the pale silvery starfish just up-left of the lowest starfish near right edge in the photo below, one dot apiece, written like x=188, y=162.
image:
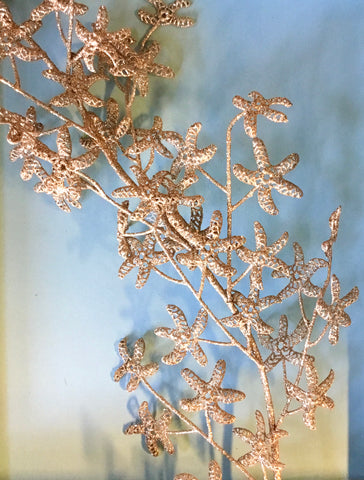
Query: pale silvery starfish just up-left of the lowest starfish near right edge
x=282, y=346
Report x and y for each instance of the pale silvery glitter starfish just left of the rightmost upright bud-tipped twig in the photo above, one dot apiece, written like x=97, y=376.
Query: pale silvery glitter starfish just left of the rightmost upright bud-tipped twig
x=300, y=274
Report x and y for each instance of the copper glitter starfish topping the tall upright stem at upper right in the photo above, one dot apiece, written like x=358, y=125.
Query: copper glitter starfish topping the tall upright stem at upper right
x=260, y=106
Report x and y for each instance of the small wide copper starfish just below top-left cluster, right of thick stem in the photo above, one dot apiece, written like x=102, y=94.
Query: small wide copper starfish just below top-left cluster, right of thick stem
x=152, y=138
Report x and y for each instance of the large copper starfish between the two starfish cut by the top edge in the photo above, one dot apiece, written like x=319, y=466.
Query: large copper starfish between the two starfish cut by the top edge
x=111, y=45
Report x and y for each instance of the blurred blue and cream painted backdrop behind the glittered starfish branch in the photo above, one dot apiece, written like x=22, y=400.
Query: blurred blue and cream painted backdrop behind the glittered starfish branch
x=64, y=309
